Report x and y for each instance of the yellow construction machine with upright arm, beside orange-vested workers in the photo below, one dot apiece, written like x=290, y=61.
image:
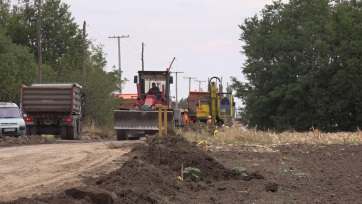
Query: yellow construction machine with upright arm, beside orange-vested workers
x=202, y=104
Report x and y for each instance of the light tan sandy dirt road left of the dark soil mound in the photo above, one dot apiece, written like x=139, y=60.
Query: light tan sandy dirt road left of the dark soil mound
x=27, y=170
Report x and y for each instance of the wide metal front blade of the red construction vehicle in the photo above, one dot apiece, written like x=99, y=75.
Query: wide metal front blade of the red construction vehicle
x=140, y=120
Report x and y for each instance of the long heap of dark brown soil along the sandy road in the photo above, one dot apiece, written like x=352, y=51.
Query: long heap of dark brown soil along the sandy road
x=151, y=176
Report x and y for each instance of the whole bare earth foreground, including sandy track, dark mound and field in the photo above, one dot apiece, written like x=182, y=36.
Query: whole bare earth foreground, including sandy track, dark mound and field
x=149, y=173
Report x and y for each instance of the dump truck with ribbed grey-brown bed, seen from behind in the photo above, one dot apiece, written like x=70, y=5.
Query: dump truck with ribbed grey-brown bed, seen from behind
x=53, y=109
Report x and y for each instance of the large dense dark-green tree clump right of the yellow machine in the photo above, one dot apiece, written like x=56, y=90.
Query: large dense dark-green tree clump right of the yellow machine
x=303, y=67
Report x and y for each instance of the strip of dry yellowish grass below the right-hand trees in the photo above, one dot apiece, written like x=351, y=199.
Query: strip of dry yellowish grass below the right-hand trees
x=229, y=136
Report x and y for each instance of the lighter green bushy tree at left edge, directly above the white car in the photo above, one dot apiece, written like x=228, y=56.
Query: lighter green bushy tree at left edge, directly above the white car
x=17, y=67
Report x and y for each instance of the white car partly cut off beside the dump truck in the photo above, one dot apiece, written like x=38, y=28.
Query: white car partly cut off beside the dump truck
x=11, y=120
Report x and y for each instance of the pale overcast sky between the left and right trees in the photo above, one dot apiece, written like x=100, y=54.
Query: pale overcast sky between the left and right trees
x=203, y=36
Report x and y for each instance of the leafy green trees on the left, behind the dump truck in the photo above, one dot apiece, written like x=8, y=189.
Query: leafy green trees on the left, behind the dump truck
x=61, y=56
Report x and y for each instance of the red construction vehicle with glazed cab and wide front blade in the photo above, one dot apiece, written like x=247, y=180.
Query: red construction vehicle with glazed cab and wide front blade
x=142, y=119
